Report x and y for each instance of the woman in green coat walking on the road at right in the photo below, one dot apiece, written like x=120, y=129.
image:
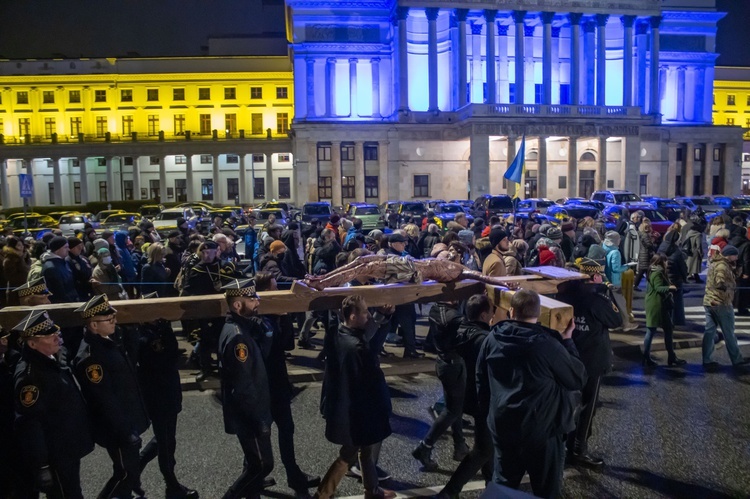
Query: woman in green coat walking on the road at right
x=659, y=305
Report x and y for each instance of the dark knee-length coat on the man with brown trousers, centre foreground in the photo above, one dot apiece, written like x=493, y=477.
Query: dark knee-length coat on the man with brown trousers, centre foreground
x=355, y=400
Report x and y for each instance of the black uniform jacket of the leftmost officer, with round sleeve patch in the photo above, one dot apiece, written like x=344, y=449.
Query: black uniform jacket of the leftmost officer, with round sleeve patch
x=52, y=425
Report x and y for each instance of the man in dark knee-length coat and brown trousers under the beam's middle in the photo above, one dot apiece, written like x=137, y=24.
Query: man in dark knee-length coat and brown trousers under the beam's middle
x=355, y=401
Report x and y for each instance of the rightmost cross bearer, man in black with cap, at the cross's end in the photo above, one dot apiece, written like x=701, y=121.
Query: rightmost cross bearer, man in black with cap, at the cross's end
x=594, y=313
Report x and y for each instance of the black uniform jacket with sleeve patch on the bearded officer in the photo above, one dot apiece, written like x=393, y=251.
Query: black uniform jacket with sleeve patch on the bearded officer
x=244, y=381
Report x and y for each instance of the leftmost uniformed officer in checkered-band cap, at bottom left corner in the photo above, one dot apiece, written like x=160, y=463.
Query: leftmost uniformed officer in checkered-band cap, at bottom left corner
x=51, y=420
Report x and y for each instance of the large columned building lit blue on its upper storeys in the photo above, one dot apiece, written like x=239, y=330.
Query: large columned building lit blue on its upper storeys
x=417, y=99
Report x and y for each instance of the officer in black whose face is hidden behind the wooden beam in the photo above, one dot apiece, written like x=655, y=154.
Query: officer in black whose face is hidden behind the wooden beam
x=159, y=378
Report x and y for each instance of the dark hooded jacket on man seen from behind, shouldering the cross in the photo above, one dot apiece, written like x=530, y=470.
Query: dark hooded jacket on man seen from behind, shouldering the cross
x=527, y=376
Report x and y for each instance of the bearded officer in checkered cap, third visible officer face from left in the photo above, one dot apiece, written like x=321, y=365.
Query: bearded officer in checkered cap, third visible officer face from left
x=243, y=344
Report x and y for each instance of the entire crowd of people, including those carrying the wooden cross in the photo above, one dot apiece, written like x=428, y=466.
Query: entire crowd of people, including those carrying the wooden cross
x=532, y=391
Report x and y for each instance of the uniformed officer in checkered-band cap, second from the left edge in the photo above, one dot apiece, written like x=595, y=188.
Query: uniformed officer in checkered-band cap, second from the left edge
x=108, y=381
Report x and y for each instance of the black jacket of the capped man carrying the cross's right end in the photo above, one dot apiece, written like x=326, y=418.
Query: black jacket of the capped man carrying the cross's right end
x=594, y=313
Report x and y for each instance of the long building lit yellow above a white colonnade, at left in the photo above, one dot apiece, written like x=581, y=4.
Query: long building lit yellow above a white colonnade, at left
x=173, y=129
